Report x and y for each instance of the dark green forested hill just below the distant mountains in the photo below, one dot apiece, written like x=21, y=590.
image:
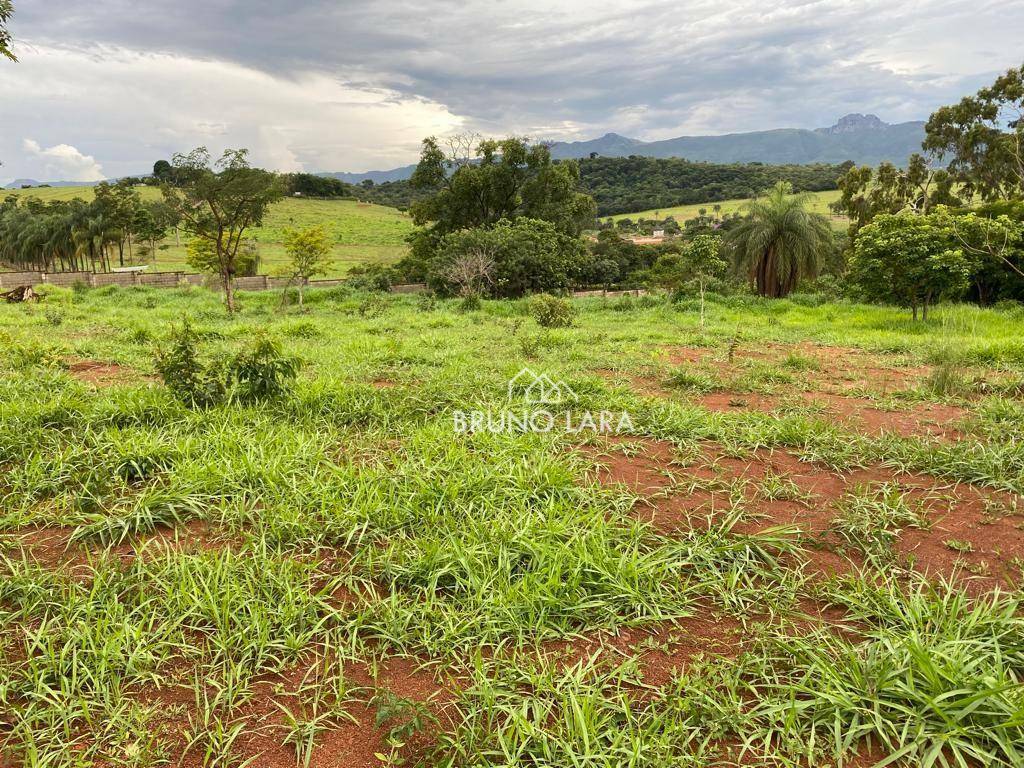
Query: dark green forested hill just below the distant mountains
x=628, y=185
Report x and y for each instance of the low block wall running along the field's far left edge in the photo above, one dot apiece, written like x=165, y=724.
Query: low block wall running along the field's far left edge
x=162, y=280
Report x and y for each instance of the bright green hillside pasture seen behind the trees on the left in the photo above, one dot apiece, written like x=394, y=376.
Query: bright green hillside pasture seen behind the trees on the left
x=363, y=234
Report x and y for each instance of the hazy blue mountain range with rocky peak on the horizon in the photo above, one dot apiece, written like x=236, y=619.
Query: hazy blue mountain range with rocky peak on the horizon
x=864, y=139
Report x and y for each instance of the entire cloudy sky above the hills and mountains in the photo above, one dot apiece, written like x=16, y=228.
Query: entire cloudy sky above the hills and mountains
x=106, y=88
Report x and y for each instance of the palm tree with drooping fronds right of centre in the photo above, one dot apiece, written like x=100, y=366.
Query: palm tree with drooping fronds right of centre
x=780, y=242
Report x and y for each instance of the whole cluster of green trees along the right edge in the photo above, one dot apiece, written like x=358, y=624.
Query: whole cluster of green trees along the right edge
x=926, y=233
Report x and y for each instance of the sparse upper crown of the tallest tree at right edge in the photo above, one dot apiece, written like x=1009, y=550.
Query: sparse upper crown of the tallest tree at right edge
x=984, y=137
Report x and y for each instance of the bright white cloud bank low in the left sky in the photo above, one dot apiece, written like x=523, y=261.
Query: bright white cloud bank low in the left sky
x=133, y=109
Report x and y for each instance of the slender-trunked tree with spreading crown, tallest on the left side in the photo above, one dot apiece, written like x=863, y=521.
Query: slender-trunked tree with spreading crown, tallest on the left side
x=219, y=203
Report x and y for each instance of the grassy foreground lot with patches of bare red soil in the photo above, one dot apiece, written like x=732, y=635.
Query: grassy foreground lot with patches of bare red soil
x=807, y=551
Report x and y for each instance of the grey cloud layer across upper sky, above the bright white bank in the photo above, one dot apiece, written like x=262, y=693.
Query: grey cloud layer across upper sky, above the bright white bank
x=558, y=69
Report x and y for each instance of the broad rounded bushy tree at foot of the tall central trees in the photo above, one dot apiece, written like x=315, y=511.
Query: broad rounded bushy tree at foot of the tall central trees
x=529, y=257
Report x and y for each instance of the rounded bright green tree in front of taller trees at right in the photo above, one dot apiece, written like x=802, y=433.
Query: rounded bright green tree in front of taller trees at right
x=911, y=261
